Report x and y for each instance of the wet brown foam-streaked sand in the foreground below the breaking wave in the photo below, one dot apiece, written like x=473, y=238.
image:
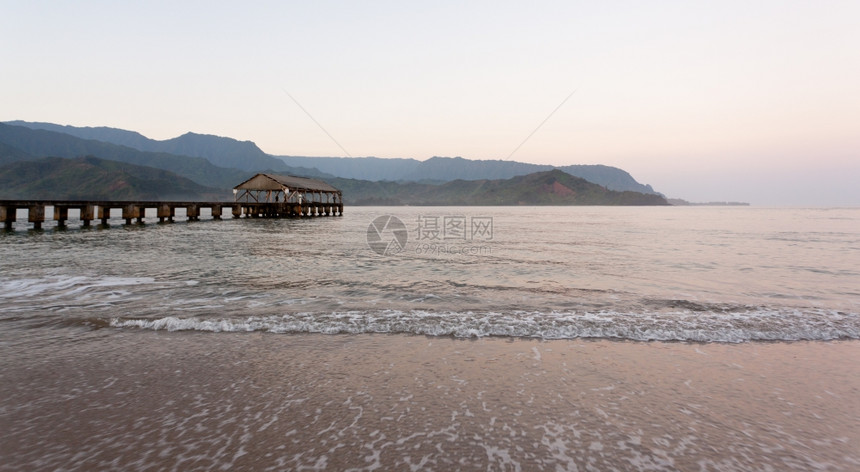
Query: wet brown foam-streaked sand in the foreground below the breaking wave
x=139, y=400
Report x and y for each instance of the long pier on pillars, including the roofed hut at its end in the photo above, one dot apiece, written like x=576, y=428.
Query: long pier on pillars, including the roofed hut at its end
x=262, y=196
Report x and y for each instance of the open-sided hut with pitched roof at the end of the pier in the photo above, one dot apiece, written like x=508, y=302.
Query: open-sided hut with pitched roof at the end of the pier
x=289, y=195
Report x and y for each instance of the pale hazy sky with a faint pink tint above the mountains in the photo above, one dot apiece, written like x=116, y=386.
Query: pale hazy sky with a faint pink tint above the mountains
x=727, y=100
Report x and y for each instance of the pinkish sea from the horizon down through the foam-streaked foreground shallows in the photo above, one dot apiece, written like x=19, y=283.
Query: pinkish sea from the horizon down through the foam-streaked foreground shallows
x=436, y=338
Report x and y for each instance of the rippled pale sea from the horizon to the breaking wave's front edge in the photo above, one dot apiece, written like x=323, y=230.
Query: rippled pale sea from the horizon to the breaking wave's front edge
x=703, y=274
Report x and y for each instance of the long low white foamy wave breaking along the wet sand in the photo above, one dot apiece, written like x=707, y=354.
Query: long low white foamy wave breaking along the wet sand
x=733, y=327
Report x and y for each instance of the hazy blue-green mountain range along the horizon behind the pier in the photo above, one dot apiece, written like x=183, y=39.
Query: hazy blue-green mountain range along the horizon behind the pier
x=218, y=163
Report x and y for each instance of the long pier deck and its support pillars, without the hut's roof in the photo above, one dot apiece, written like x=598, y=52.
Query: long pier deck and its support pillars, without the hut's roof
x=135, y=211
